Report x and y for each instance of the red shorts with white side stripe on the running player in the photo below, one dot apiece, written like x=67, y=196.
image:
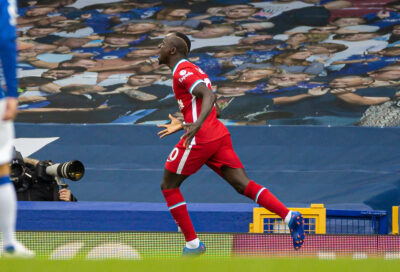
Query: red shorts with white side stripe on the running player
x=214, y=154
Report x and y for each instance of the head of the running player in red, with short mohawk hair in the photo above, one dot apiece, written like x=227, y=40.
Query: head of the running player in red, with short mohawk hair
x=174, y=44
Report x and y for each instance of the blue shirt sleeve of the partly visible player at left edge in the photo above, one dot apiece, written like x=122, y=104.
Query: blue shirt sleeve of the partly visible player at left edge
x=8, y=48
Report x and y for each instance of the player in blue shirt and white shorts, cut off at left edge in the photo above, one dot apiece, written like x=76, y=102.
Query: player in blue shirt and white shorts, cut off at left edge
x=8, y=110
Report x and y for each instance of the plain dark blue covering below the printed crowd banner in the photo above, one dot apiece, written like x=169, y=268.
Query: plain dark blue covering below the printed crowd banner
x=347, y=167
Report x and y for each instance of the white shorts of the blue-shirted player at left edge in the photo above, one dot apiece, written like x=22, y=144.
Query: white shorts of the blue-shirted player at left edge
x=6, y=136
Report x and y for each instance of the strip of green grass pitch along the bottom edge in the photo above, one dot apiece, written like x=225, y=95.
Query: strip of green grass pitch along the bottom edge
x=204, y=265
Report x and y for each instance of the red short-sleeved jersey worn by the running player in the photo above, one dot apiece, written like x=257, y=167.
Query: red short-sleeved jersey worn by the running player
x=186, y=76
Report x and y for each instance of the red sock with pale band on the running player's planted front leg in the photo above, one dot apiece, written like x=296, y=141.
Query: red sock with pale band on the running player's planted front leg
x=177, y=207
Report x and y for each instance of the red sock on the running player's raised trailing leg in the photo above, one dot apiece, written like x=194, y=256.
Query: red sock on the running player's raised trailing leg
x=265, y=198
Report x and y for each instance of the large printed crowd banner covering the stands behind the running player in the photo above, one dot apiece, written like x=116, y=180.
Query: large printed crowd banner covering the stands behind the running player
x=279, y=62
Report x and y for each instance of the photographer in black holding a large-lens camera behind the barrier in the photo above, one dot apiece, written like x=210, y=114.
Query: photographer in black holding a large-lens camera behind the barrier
x=32, y=183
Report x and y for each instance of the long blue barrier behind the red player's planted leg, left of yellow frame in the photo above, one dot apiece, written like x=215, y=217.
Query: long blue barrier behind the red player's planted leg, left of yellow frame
x=125, y=216
